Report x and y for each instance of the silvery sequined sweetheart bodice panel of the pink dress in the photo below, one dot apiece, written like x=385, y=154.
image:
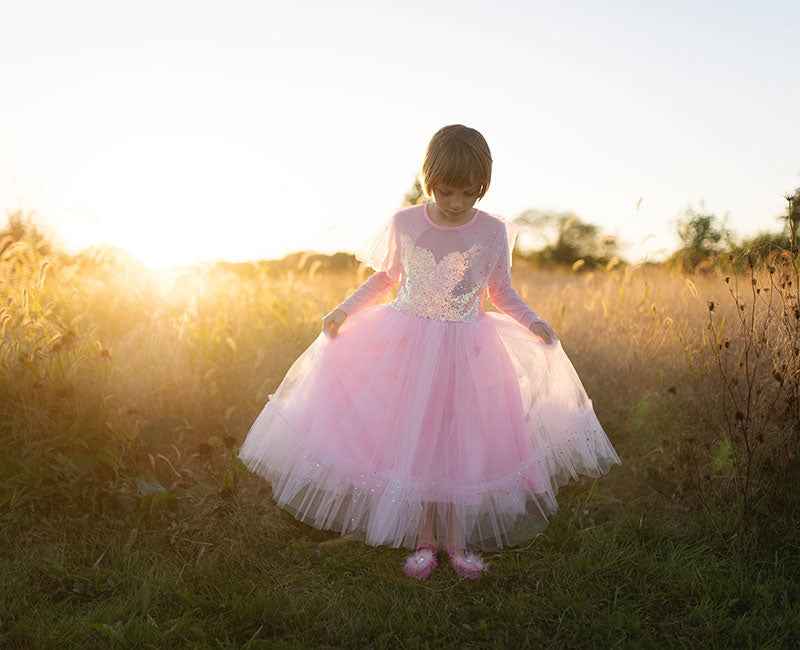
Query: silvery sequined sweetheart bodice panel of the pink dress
x=443, y=289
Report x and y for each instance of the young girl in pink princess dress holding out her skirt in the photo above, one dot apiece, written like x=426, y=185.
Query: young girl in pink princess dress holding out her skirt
x=428, y=422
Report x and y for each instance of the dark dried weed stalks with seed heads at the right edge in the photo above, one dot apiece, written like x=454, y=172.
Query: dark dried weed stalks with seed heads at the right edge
x=755, y=353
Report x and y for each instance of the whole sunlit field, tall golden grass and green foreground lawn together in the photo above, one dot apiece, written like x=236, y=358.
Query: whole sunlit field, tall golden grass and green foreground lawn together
x=128, y=521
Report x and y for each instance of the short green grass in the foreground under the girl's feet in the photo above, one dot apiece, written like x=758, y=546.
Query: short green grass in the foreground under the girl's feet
x=241, y=573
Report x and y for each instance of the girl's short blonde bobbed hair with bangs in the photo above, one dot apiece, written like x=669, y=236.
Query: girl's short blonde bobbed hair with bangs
x=457, y=156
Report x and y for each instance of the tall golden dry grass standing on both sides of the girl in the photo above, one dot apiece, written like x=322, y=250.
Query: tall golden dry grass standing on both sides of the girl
x=127, y=383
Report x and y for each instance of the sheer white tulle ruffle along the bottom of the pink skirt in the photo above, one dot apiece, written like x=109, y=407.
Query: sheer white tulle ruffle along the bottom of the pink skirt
x=387, y=509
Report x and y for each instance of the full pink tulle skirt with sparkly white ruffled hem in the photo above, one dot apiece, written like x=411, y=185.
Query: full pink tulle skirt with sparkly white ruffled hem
x=467, y=428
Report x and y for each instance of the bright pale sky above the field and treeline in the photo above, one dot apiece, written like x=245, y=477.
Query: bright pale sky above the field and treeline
x=195, y=130
